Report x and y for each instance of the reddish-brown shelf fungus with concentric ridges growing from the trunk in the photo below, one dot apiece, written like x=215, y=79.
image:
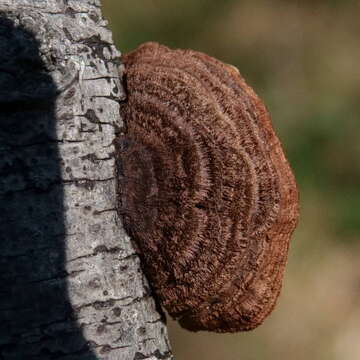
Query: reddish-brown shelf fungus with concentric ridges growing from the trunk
x=204, y=188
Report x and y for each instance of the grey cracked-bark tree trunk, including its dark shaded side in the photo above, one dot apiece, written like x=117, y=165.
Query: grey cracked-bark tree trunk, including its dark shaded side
x=71, y=284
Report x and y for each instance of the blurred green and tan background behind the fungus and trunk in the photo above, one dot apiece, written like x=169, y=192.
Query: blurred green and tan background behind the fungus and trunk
x=303, y=60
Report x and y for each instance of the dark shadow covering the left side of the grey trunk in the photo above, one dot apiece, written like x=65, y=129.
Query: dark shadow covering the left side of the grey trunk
x=36, y=317
